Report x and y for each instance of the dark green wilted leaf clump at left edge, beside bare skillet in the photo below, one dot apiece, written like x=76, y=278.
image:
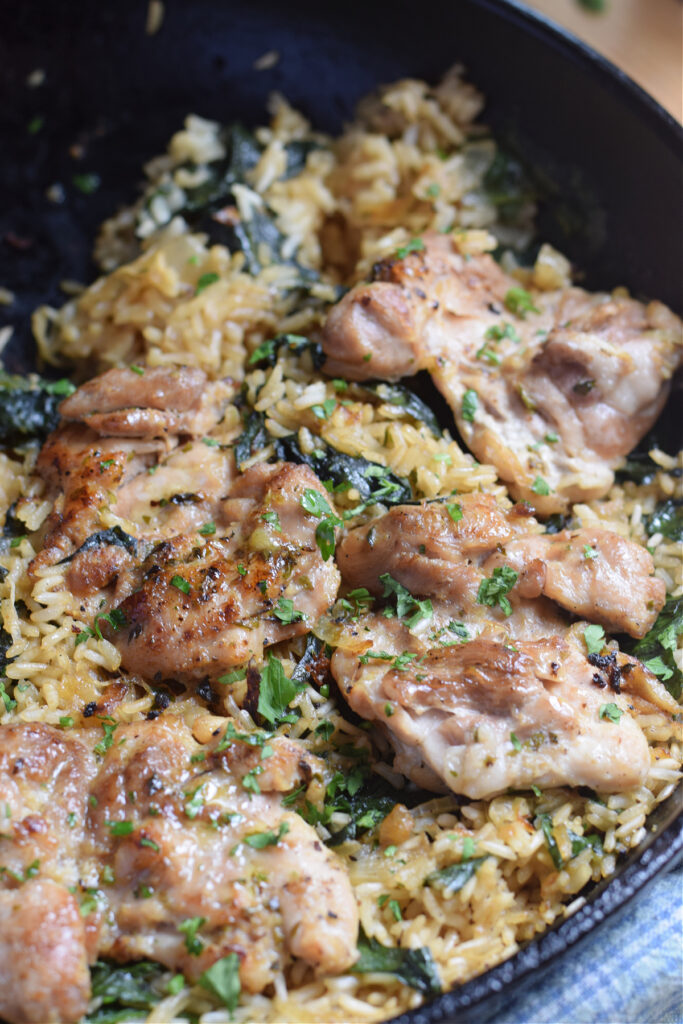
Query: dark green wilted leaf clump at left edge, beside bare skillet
x=28, y=408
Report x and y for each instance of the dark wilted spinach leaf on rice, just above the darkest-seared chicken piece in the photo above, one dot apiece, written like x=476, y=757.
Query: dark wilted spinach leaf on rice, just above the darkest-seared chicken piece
x=374, y=483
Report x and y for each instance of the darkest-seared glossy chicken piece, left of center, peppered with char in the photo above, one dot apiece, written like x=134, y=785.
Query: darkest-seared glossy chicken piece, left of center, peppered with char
x=203, y=608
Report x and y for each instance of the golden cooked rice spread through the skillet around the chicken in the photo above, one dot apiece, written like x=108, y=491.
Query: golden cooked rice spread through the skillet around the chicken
x=414, y=159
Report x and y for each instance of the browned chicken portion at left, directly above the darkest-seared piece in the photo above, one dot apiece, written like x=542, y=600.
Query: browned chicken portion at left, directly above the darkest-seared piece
x=110, y=463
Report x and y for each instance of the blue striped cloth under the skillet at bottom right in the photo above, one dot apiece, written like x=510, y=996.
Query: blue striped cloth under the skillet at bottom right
x=631, y=972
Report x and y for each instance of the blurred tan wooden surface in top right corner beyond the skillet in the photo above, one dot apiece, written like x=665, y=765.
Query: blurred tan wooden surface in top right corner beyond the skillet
x=644, y=37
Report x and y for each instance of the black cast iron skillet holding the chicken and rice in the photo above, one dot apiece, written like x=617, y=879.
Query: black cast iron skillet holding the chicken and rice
x=608, y=161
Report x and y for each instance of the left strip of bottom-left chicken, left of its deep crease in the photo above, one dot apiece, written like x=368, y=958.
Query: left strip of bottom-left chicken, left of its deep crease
x=45, y=782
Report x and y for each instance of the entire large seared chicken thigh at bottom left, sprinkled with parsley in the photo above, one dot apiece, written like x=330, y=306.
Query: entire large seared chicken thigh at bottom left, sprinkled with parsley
x=163, y=830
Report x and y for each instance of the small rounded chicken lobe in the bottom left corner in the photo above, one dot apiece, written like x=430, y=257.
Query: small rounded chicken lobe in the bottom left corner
x=45, y=973
